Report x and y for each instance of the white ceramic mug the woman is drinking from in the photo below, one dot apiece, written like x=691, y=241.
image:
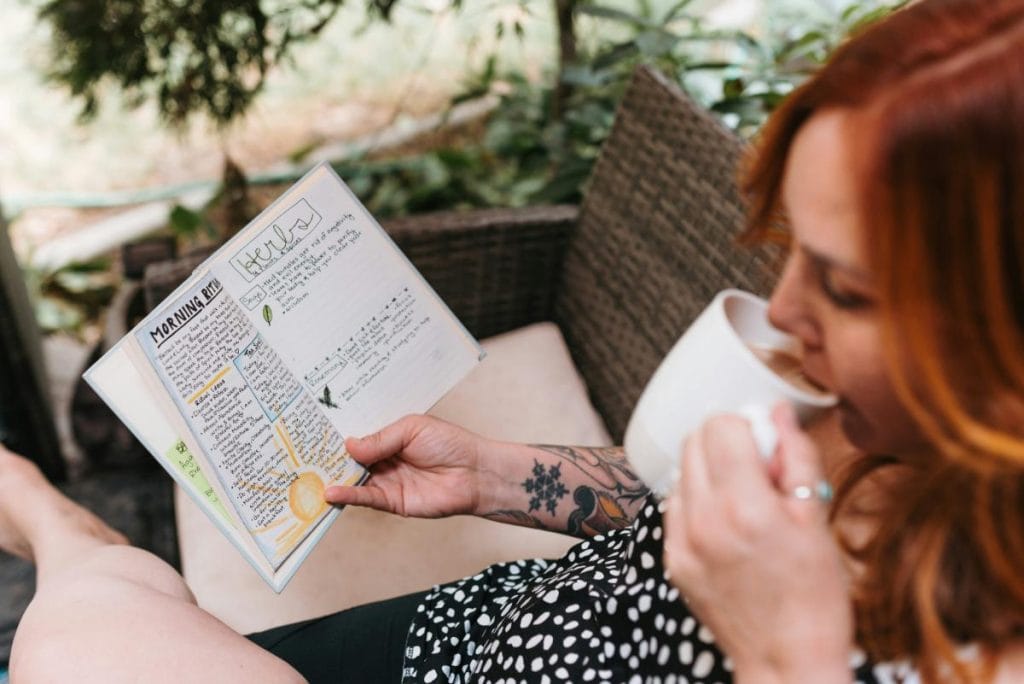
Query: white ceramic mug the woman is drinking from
x=713, y=369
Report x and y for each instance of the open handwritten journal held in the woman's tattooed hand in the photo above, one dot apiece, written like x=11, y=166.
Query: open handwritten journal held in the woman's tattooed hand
x=308, y=327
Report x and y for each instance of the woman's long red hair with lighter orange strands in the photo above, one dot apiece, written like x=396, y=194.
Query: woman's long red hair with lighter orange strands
x=937, y=94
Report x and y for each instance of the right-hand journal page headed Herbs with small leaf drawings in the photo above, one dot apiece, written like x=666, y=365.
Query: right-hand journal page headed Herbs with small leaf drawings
x=358, y=326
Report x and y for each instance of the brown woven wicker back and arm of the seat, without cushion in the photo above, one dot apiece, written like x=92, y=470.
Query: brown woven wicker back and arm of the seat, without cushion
x=623, y=275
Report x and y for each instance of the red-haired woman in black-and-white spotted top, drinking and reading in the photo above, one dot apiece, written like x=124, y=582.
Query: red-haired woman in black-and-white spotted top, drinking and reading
x=900, y=170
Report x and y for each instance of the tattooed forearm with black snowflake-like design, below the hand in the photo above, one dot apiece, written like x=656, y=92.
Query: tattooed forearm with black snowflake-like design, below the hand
x=606, y=493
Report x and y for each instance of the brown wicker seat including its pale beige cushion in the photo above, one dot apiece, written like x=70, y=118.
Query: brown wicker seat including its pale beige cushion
x=622, y=277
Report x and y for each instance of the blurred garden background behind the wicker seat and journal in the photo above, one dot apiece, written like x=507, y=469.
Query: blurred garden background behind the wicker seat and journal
x=134, y=132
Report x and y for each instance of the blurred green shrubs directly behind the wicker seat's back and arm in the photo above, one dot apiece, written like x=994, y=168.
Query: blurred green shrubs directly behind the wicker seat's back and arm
x=529, y=156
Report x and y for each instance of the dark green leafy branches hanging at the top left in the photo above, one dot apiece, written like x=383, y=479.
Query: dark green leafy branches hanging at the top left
x=192, y=56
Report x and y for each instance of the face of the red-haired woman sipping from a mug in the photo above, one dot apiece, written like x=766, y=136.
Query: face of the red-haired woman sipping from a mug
x=827, y=295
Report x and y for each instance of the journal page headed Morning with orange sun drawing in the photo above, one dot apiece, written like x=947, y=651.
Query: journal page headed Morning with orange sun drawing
x=273, y=450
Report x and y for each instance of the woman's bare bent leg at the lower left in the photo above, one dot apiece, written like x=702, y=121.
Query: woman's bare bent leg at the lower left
x=105, y=611
